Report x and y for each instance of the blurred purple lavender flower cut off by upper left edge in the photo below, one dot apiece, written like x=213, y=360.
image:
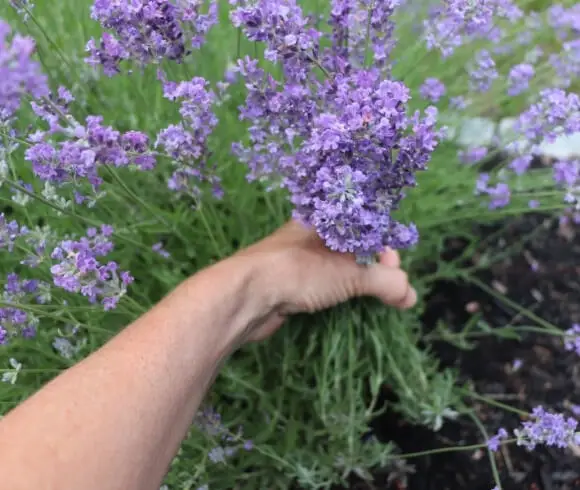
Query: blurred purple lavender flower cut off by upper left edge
x=19, y=73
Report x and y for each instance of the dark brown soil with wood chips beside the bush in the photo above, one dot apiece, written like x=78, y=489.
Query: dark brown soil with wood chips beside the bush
x=544, y=277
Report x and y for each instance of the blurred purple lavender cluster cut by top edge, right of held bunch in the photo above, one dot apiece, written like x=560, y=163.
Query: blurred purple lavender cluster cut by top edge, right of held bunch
x=453, y=23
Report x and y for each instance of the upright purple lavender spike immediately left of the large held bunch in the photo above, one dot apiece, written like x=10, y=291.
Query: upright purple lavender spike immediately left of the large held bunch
x=186, y=142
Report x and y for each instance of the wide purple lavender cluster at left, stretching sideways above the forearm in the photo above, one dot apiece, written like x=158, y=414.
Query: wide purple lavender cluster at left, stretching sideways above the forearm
x=71, y=152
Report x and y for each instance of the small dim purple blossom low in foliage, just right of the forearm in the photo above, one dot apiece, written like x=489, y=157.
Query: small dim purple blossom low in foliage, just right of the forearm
x=210, y=423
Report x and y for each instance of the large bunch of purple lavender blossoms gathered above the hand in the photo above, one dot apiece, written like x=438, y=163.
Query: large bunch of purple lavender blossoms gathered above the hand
x=344, y=146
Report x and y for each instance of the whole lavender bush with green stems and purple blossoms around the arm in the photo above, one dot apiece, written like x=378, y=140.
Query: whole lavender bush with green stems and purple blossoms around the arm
x=142, y=140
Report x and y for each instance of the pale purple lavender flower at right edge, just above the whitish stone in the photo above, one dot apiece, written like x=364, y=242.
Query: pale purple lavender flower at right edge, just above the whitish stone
x=555, y=113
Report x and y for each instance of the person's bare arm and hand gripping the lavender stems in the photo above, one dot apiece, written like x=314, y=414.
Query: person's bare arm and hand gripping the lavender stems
x=116, y=419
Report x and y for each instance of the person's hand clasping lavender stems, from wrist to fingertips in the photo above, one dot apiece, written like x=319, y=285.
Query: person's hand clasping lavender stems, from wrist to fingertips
x=300, y=275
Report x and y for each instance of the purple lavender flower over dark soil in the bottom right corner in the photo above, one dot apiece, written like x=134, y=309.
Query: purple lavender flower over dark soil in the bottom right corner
x=547, y=428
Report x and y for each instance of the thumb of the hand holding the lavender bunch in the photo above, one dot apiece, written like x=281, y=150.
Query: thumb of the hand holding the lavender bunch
x=388, y=284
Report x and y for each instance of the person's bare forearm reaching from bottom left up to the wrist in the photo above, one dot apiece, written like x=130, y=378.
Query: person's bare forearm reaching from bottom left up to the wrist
x=116, y=419
